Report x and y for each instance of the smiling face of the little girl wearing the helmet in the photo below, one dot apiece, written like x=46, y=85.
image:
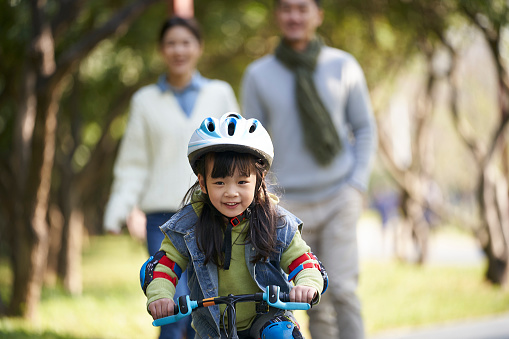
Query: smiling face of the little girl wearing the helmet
x=230, y=195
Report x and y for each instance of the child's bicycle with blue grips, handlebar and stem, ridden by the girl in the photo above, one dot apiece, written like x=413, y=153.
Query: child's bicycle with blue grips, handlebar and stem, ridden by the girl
x=271, y=297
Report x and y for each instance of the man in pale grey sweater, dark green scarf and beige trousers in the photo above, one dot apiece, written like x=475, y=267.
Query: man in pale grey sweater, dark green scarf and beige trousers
x=314, y=102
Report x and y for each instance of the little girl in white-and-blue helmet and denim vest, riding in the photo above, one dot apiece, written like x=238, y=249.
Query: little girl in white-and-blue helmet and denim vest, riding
x=231, y=235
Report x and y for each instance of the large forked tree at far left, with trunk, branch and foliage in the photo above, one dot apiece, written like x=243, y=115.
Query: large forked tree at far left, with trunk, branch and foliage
x=45, y=42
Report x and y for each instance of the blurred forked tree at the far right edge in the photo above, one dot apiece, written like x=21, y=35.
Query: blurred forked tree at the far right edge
x=491, y=151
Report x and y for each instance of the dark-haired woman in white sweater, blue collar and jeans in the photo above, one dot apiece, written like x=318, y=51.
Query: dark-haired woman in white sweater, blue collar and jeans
x=151, y=172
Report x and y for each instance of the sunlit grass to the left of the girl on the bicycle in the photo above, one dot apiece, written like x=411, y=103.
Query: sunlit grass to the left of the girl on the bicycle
x=112, y=304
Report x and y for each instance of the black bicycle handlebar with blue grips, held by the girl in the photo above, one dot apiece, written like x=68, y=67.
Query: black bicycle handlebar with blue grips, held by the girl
x=272, y=296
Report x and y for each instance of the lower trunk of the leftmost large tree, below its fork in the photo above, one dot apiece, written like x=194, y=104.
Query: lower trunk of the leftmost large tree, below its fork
x=32, y=243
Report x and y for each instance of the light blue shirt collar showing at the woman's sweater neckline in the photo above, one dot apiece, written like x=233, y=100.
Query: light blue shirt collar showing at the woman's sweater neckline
x=187, y=96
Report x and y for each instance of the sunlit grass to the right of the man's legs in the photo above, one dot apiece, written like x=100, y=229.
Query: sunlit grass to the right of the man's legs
x=398, y=295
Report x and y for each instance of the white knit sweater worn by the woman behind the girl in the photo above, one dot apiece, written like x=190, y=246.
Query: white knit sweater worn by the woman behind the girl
x=151, y=170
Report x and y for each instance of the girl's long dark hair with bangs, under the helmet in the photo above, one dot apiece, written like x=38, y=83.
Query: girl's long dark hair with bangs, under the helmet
x=211, y=225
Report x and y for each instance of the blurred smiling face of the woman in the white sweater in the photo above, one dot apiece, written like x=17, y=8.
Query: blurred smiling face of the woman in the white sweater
x=181, y=51
